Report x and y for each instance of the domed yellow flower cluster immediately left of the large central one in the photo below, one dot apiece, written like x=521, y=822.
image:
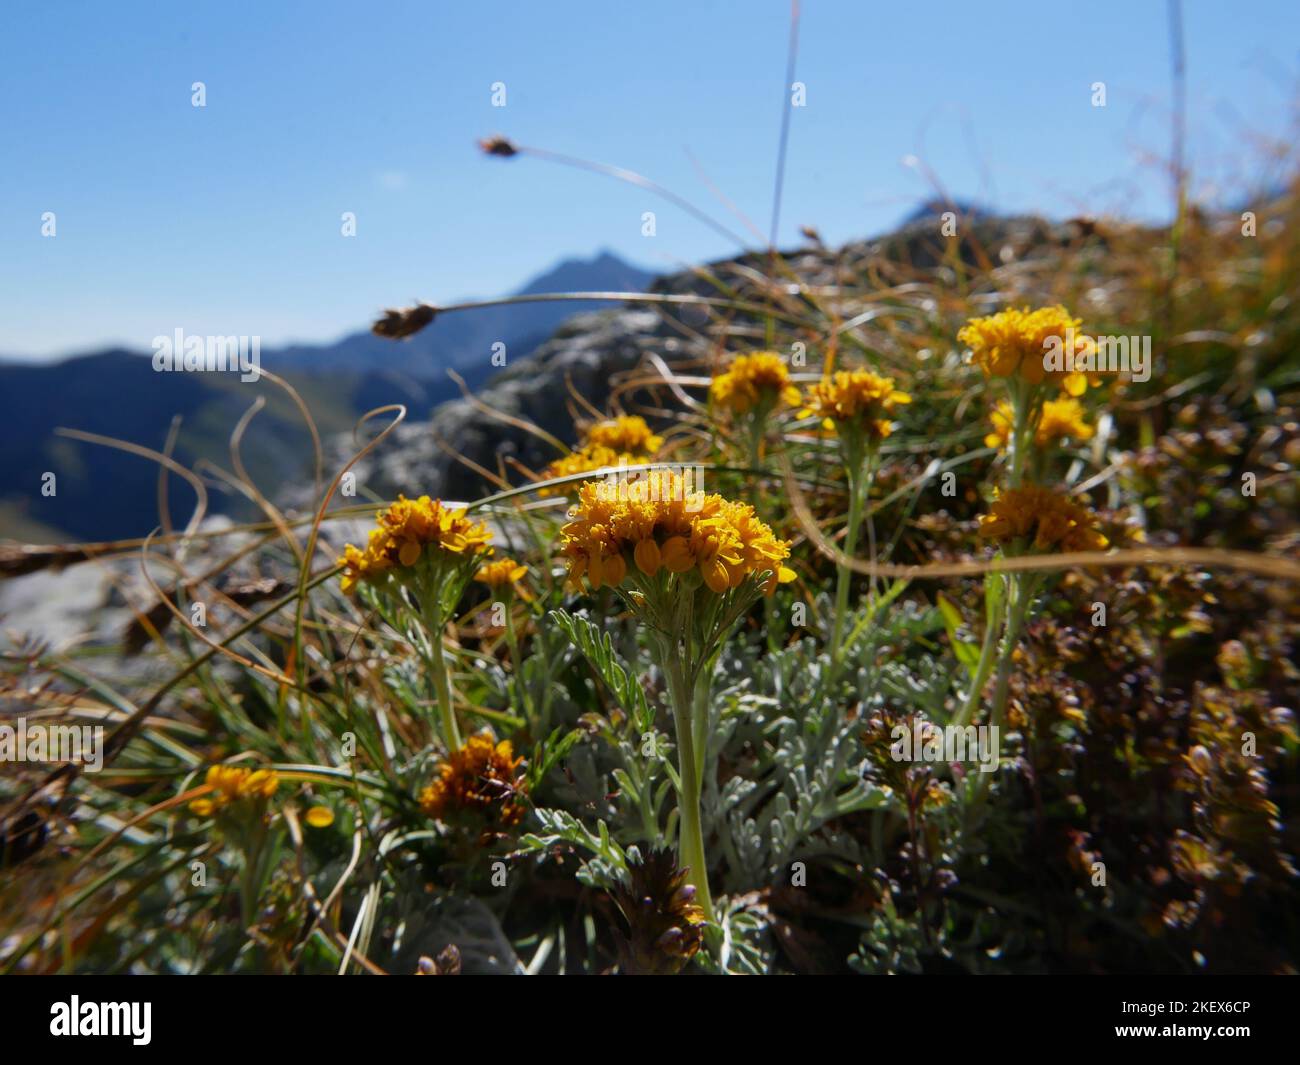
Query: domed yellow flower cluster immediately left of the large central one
x=405, y=531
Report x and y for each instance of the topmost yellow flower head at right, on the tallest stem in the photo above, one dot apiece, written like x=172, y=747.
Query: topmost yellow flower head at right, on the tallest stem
x=1015, y=343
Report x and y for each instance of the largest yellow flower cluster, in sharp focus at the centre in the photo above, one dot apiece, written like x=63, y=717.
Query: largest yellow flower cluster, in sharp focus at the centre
x=658, y=523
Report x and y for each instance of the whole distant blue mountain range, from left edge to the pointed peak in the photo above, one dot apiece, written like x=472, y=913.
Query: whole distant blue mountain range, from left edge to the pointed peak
x=106, y=495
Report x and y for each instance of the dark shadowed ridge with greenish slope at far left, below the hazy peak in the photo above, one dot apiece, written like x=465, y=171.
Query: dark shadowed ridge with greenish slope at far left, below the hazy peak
x=102, y=493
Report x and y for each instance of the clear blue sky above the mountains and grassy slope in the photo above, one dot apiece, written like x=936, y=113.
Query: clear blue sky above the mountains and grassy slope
x=227, y=219
